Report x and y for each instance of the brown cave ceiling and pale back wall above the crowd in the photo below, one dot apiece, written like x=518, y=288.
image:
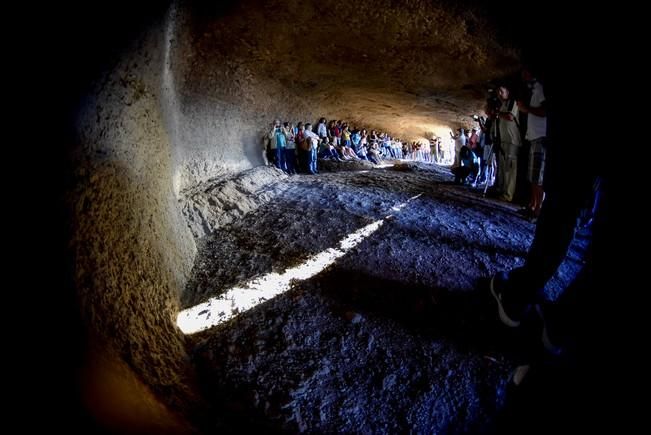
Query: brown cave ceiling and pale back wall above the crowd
x=411, y=69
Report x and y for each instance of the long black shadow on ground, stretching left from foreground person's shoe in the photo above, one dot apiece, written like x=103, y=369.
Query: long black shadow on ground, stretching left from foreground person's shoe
x=467, y=319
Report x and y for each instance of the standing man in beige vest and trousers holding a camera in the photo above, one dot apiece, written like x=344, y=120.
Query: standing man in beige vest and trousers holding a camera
x=510, y=142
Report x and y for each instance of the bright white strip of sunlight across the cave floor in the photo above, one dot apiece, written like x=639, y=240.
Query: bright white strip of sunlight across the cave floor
x=239, y=299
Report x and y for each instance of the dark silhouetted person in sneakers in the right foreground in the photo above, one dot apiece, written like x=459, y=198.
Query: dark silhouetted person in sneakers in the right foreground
x=568, y=183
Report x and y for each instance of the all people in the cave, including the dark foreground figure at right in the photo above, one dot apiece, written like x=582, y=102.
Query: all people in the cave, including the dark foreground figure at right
x=560, y=190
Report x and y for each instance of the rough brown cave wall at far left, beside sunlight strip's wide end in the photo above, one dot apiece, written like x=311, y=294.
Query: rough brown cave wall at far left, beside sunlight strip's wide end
x=133, y=250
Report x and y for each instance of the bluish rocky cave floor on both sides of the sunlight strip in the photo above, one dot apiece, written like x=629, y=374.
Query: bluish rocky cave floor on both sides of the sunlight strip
x=397, y=335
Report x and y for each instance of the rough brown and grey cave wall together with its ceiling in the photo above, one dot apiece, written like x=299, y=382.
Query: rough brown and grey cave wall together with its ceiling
x=188, y=99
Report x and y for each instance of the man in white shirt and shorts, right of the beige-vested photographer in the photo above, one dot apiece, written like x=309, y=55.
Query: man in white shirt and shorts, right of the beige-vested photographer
x=536, y=133
